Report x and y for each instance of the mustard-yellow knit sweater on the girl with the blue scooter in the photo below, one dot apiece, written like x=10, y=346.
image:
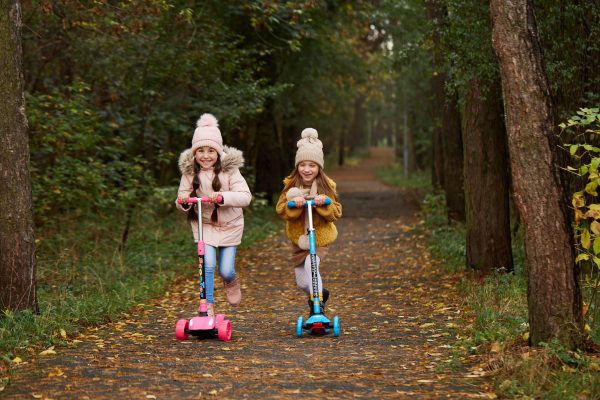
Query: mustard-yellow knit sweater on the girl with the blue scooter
x=323, y=218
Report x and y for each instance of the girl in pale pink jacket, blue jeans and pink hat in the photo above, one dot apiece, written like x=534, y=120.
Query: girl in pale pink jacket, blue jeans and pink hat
x=210, y=169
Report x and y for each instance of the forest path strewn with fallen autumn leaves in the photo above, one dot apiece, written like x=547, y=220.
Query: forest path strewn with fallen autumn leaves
x=398, y=312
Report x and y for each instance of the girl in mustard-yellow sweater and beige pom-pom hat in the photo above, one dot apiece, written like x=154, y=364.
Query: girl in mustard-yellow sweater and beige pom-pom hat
x=308, y=180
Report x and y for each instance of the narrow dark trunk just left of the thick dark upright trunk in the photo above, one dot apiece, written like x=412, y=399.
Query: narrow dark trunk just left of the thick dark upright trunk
x=453, y=159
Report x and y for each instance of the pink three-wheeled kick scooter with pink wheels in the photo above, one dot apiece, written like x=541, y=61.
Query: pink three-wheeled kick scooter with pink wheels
x=203, y=326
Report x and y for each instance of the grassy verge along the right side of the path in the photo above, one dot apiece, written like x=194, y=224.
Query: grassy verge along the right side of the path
x=497, y=308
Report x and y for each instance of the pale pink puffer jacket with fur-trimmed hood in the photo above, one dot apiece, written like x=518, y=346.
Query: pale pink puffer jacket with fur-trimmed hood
x=228, y=229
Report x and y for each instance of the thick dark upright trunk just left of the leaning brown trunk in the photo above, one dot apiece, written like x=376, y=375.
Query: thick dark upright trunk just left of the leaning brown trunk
x=486, y=181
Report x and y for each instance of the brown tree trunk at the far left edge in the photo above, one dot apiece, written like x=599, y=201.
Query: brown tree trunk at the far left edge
x=17, y=246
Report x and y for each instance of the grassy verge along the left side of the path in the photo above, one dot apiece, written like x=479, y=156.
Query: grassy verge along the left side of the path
x=83, y=279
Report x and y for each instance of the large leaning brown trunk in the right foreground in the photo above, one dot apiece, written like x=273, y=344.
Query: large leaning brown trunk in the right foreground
x=554, y=294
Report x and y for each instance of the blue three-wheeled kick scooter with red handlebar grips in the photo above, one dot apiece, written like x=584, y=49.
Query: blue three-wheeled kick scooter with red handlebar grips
x=317, y=323
